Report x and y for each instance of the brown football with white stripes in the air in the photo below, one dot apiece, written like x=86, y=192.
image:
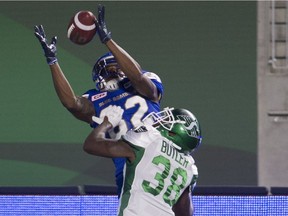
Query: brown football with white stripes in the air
x=82, y=28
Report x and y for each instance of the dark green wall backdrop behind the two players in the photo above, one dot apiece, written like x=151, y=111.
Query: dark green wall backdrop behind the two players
x=204, y=52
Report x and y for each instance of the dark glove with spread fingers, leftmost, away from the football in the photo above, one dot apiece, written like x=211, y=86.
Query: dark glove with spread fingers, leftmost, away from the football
x=49, y=49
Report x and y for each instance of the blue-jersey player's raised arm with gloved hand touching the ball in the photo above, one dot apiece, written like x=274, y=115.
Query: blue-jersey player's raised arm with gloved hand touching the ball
x=127, y=63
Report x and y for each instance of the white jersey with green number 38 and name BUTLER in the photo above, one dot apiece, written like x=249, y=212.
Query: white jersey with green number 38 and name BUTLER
x=155, y=180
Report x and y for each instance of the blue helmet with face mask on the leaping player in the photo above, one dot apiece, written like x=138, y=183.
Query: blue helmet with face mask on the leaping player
x=105, y=78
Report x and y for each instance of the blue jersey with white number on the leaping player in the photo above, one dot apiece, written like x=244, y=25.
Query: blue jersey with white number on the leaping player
x=135, y=108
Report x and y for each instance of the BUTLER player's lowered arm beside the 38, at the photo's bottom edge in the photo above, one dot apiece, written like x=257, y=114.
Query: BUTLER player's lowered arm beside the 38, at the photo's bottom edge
x=184, y=205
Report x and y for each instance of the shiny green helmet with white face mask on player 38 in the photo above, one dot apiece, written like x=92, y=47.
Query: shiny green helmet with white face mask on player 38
x=180, y=126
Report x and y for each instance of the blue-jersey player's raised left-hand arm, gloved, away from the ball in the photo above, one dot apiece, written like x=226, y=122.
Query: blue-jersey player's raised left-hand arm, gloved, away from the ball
x=81, y=108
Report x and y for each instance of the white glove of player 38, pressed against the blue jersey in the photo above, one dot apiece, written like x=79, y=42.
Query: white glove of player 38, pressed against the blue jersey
x=114, y=114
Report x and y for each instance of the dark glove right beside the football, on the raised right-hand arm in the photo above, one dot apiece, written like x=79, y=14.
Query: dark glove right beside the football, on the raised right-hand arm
x=103, y=33
